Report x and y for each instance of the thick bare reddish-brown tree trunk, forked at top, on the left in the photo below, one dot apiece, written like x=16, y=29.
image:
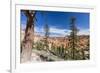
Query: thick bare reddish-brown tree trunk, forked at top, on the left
x=27, y=43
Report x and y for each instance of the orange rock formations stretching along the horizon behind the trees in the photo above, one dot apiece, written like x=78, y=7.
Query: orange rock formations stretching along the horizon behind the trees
x=83, y=40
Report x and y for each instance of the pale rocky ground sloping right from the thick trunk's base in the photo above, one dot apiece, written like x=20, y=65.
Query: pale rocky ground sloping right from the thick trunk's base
x=39, y=56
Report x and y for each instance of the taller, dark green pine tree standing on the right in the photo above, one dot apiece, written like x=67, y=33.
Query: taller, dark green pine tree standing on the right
x=73, y=36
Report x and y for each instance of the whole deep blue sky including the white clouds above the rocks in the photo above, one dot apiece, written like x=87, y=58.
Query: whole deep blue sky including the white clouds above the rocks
x=58, y=22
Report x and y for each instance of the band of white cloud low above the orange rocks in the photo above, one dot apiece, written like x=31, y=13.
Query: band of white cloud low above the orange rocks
x=56, y=32
